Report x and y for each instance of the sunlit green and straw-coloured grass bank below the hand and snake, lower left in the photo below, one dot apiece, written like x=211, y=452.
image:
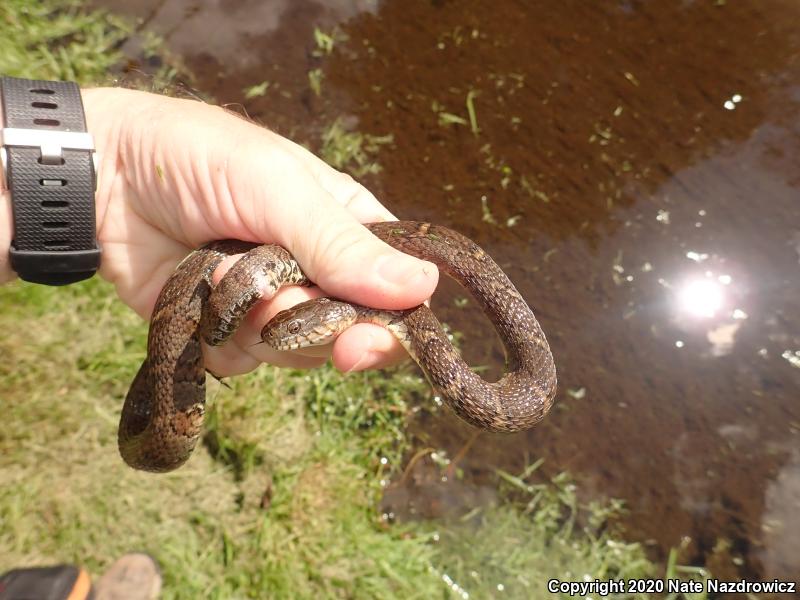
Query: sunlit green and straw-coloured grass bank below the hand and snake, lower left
x=314, y=439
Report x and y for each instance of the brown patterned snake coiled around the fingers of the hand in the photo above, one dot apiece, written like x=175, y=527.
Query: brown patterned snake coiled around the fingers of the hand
x=162, y=417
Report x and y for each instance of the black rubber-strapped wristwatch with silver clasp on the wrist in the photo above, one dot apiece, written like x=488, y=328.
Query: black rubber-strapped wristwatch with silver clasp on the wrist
x=49, y=167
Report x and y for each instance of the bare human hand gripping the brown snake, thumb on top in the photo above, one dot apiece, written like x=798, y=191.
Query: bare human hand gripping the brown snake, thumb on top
x=175, y=174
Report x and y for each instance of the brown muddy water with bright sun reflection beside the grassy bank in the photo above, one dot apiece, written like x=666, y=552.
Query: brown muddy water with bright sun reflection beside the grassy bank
x=635, y=168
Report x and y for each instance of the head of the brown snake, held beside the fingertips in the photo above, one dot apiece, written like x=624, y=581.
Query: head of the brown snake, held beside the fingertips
x=311, y=323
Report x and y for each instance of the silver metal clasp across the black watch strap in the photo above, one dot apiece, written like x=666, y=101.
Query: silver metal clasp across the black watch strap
x=51, y=144
